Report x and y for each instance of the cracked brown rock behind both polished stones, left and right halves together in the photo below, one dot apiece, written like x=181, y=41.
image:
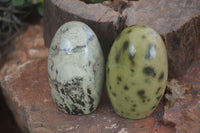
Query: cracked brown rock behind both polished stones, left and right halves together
x=176, y=21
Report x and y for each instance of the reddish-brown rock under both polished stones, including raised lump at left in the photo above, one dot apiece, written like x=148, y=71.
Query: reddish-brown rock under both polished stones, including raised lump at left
x=25, y=85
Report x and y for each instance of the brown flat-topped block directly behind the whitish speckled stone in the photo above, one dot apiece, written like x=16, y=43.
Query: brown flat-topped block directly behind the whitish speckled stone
x=103, y=17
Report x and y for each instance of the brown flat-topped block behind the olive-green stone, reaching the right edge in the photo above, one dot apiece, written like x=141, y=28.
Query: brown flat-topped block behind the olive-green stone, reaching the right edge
x=178, y=23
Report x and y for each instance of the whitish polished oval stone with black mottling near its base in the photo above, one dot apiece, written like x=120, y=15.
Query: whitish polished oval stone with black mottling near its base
x=76, y=69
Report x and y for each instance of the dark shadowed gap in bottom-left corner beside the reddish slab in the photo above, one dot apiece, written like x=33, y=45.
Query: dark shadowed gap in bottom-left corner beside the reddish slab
x=7, y=121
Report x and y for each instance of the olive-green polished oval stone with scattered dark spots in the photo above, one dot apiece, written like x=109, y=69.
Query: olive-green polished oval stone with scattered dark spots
x=137, y=71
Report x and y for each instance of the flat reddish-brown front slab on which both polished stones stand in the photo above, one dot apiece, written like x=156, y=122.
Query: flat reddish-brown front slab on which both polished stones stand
x=31, y=102
